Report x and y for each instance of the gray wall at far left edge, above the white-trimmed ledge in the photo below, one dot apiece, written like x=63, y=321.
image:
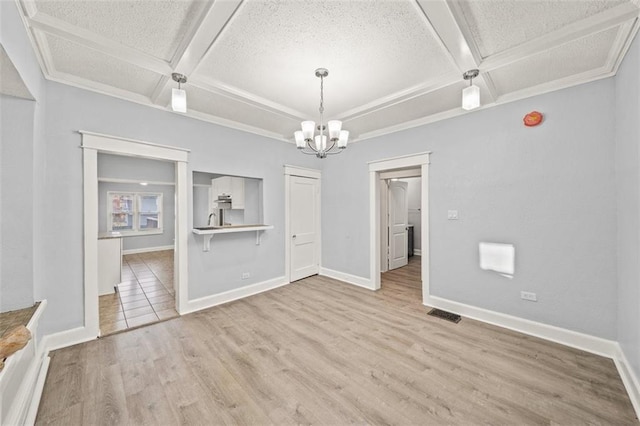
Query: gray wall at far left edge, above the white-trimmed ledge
x=22, y=162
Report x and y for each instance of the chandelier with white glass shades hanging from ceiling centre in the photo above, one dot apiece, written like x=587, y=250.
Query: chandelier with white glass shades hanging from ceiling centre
x=318, y=144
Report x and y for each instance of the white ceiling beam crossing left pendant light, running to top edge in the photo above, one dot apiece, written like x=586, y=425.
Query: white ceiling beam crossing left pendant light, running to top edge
x=196, y=48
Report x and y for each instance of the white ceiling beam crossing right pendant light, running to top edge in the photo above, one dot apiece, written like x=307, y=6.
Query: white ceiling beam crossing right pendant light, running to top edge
x=456, y=39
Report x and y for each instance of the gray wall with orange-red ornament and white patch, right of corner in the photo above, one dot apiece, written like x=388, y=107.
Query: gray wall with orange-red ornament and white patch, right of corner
x=549, y=190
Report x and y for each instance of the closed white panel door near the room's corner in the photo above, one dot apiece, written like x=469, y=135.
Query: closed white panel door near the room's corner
x=302, y=222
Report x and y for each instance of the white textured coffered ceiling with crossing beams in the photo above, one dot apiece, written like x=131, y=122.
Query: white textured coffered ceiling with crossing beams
x=392, y=64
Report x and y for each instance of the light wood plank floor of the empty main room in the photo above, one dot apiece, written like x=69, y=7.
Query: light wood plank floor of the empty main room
x=323, y=352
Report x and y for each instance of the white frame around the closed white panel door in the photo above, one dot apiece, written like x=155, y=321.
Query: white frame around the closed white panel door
x=308, y=173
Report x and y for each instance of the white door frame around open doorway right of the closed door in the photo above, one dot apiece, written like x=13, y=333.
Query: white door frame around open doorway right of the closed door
x=389, y=168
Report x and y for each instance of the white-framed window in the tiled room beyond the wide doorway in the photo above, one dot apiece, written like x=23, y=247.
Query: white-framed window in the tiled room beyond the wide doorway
x=138, y=213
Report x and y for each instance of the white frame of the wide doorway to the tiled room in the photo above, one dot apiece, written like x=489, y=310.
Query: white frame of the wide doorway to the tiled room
x=94, y=143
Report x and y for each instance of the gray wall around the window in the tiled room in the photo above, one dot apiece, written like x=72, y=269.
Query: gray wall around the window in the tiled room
x=141, y=170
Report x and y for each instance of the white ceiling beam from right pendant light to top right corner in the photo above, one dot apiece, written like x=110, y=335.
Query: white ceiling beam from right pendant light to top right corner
x=593, y=24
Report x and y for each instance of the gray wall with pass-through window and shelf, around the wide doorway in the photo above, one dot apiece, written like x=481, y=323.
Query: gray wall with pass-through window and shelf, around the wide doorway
x=214, y=149
